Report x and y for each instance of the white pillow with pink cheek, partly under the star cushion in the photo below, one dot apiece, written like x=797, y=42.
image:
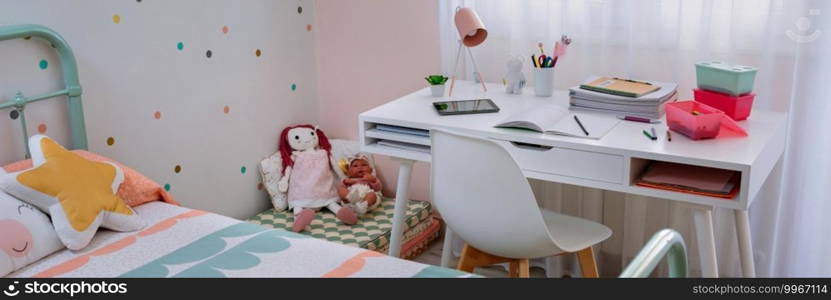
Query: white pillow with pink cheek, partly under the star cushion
x=26, y=234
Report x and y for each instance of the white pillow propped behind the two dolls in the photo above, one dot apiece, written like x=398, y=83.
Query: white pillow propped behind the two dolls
x=271, y=169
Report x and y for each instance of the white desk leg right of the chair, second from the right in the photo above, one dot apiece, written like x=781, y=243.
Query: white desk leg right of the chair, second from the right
x=703, y=219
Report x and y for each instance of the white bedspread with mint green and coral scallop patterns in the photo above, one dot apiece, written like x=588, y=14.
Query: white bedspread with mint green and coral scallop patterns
x=182, y=242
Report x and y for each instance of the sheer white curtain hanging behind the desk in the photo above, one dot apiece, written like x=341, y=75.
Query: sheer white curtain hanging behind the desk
x=661, y=40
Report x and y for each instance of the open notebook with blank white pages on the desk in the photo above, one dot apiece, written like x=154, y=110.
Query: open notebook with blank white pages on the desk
x=555, y=119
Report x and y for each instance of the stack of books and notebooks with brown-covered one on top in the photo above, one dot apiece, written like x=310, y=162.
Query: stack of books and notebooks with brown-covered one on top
x=644, y=99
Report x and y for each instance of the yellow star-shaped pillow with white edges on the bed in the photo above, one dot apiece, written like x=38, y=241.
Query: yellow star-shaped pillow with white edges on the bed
x=78, y=193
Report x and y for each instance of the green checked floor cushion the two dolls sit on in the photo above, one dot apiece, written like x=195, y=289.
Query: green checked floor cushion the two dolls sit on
x=372, y=232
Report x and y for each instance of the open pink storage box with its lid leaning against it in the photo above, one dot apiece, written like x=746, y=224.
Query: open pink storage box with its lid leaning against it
x=706, y=124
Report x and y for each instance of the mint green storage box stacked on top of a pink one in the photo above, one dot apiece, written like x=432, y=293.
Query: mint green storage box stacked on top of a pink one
x=725, y=78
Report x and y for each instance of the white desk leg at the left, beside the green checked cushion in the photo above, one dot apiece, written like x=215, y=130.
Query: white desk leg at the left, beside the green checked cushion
x=405, y=169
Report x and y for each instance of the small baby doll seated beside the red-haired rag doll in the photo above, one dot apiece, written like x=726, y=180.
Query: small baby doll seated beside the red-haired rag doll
x=360, y=190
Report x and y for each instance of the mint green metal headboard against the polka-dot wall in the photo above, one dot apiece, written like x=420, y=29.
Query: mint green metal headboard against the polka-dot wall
x=72, y=87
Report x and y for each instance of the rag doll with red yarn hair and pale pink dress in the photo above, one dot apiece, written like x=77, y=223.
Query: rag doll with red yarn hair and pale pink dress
x=309, y=176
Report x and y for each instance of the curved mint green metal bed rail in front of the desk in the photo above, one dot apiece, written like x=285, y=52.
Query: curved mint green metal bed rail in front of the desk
x=666, y=242
